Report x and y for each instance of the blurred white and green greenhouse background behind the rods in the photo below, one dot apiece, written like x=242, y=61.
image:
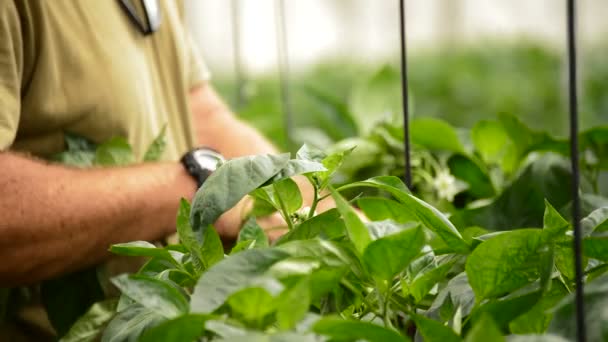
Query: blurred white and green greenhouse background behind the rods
x=468, y=60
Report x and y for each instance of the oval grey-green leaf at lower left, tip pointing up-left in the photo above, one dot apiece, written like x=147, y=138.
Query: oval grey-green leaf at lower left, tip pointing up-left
x=153, y=294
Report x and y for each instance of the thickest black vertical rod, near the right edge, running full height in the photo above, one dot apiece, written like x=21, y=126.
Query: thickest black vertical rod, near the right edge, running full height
x=574, y=157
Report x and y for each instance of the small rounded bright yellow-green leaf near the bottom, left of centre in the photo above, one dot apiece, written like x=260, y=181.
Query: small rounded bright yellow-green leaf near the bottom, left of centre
x=252, y=304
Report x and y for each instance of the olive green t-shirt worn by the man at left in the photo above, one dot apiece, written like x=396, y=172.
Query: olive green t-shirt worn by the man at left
x=81, y=66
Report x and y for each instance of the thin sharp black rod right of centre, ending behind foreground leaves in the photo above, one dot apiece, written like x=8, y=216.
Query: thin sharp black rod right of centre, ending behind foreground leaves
x=404, y=94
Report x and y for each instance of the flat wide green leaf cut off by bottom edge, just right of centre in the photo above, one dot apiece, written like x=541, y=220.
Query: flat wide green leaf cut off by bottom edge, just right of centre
x=345, y=330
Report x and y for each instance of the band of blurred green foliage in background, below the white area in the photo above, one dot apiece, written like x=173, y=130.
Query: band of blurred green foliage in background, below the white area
x=332, y=100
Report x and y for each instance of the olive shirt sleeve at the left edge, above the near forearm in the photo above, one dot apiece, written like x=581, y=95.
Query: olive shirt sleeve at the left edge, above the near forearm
x=11, y=70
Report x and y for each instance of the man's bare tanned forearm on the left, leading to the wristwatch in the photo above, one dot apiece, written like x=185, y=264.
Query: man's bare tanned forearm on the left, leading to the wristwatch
x=55, y=219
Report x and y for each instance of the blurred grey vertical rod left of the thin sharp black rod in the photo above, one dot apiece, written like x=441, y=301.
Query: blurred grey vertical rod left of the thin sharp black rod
x=283, y=63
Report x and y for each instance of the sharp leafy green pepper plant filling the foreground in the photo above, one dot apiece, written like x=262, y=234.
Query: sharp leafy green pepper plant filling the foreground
x=408, y=273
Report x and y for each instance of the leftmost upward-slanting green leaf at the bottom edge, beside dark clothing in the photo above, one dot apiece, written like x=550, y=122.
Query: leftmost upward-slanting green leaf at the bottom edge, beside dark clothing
x=90, y=325
